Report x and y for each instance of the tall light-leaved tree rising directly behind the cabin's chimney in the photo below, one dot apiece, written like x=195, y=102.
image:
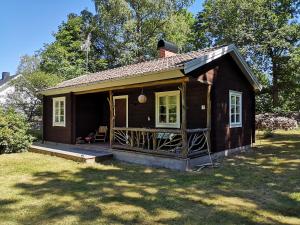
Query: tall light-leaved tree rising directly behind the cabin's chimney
x=129, y=30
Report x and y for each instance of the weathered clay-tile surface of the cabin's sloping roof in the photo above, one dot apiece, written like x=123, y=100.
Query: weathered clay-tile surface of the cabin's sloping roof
x=148, y=67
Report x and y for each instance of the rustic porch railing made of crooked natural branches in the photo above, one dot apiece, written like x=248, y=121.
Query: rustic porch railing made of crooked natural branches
x=168, y=142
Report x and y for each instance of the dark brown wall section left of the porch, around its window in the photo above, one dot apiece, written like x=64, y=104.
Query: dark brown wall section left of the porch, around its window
x=57, y=134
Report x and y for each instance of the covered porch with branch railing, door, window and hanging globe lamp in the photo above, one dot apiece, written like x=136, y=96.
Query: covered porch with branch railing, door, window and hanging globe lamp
x=183, y=132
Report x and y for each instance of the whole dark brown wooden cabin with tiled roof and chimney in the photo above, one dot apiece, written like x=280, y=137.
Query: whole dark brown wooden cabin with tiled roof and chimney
x=171, y=108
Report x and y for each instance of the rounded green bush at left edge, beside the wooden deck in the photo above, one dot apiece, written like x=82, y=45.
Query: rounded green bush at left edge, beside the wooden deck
x=14, y=129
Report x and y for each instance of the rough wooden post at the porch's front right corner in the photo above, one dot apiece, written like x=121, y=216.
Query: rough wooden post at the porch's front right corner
x=183, y=120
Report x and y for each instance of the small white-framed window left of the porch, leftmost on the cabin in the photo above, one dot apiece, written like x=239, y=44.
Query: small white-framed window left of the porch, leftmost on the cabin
x=59, y=111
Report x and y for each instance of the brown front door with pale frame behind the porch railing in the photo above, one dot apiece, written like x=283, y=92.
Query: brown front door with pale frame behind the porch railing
x=121, y=110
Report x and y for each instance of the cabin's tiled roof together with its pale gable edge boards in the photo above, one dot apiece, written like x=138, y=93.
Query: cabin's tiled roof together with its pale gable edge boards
x=148, y=68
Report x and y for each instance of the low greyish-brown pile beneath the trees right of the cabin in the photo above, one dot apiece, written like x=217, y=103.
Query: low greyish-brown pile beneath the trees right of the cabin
x=271, y=121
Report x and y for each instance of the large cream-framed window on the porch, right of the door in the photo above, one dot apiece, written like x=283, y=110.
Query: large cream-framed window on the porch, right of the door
x=167, y=109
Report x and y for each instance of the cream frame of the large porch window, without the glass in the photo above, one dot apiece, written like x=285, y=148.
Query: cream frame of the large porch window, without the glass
x=162, y=94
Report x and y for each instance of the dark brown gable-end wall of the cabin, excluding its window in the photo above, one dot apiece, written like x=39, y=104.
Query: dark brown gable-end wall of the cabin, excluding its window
x=229, y=77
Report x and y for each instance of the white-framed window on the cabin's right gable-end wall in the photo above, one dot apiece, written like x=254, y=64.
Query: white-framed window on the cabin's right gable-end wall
x=235, y=104
